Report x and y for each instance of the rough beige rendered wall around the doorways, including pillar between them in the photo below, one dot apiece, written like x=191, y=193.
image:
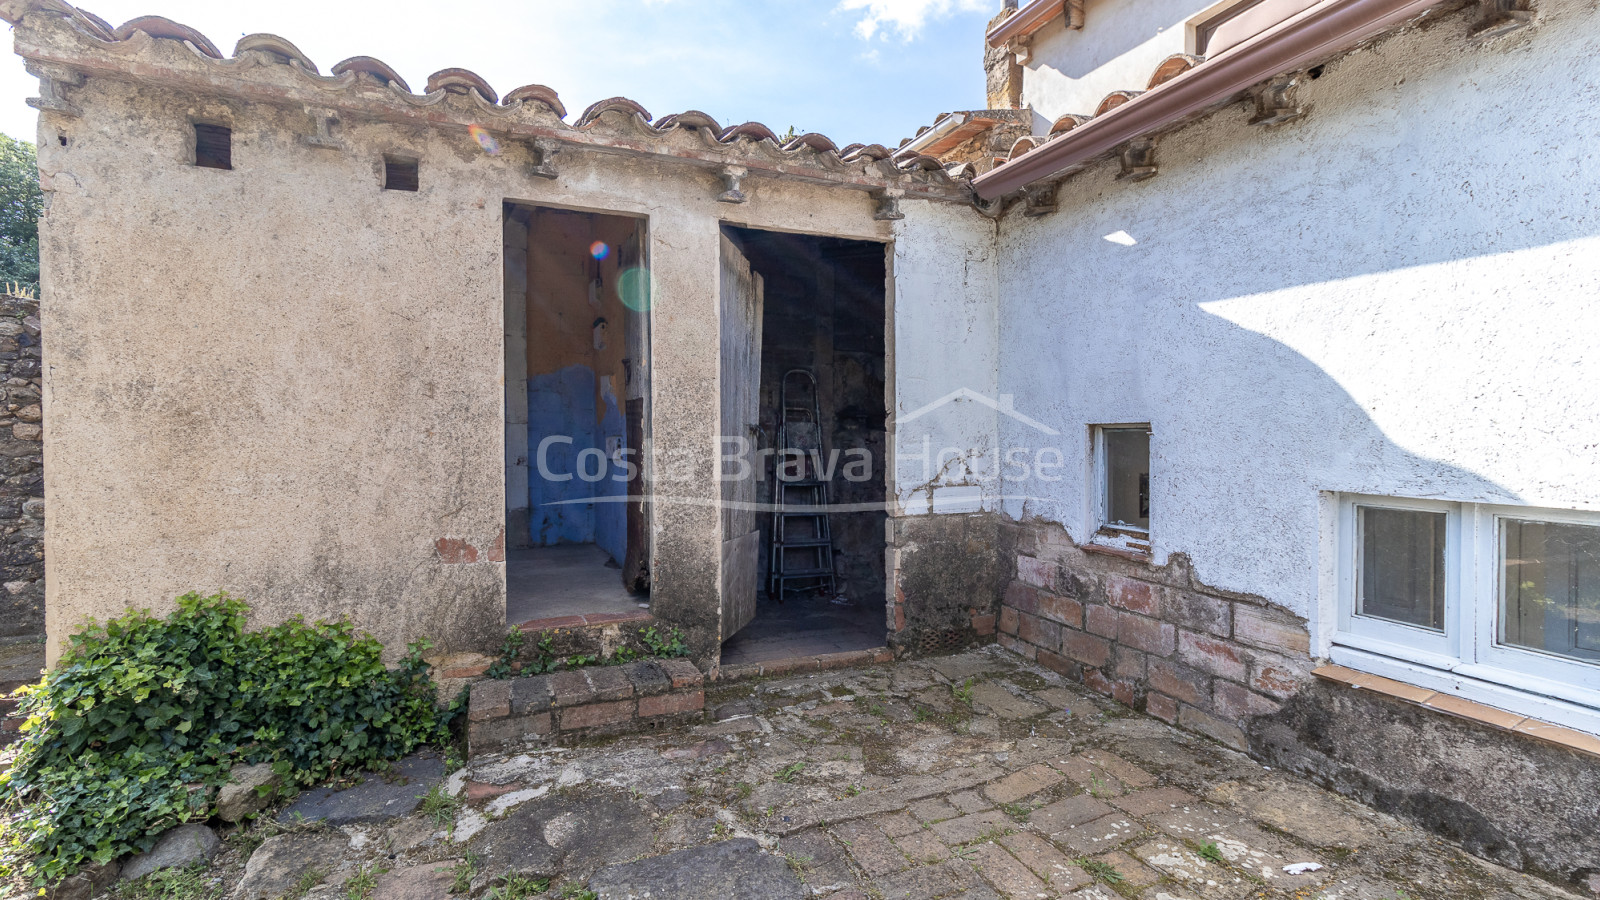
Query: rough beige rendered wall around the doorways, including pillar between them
x=311, y=417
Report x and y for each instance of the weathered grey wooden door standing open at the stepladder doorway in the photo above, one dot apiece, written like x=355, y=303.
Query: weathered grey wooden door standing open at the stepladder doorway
x=742, y=400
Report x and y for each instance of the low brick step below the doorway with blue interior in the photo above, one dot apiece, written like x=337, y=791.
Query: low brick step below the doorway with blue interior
x=522, y=713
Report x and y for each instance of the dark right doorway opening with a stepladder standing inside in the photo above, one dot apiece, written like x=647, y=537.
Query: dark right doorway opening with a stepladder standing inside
x=820, y=571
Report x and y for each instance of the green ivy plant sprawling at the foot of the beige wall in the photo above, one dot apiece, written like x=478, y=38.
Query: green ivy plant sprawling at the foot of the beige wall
x=143, y=718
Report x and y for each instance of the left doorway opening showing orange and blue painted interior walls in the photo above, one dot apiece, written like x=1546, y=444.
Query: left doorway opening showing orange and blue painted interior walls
x=577, y=414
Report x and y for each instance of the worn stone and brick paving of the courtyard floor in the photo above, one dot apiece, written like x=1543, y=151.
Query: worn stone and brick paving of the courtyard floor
x=975, y=776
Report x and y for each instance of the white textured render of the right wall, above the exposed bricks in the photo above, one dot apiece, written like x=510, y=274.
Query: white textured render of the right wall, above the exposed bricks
x=1396, y=295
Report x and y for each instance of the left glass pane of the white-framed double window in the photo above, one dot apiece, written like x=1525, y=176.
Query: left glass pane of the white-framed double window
x=1404, y=566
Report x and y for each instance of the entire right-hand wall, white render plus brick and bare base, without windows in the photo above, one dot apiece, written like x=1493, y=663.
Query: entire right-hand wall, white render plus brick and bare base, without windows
x=1394, y=297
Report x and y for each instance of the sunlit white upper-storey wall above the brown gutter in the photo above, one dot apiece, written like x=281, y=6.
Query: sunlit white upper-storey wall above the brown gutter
x=1119, y=49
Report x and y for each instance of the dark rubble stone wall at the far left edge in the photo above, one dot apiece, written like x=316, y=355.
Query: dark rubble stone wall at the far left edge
x=22, y=475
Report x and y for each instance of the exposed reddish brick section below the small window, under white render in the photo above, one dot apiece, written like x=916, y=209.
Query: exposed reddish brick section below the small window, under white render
x=1153, y=637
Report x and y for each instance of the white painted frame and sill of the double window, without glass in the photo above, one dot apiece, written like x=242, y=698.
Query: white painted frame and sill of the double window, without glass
x=1468, y=661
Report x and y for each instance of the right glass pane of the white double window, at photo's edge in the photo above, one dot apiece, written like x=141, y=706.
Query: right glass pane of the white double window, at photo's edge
x=1551, y=589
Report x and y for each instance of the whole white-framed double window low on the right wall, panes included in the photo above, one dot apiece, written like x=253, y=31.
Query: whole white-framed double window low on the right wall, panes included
x=1497, y=605
